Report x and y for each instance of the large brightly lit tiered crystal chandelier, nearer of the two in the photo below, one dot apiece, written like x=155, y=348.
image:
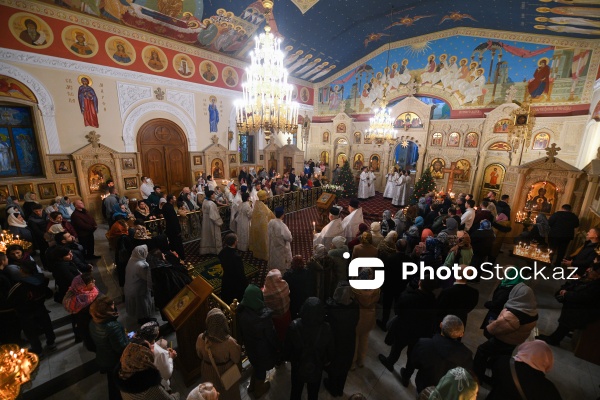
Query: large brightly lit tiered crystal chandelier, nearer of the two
x=267, y=96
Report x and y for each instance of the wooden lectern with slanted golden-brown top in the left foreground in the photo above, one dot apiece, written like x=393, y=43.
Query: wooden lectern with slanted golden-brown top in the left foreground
x=187, y=313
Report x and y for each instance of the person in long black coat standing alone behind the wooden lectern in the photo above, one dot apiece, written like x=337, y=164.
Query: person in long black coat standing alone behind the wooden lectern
x=234, y=282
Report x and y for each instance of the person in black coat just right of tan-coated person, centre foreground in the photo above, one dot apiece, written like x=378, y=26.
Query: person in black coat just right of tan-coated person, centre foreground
x=415, y=313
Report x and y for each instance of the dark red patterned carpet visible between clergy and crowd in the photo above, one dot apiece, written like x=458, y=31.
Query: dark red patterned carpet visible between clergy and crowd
x=301, y=225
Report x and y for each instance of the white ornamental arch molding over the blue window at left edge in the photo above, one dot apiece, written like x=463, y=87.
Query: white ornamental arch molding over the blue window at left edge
x=45, y=103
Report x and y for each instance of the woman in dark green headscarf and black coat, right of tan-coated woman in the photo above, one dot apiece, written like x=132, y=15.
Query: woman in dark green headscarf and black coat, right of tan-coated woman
x=259, y=338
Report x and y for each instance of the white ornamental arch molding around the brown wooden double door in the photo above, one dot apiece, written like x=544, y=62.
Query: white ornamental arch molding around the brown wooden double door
x=140, y=112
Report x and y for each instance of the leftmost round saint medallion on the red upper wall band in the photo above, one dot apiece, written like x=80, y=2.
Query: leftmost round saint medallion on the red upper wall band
x=30, y=30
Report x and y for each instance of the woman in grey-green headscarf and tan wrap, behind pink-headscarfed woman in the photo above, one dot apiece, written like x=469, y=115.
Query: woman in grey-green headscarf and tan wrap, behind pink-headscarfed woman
x=510, y=329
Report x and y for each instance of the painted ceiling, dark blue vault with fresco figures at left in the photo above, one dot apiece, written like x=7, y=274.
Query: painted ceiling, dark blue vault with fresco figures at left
x=322, y=37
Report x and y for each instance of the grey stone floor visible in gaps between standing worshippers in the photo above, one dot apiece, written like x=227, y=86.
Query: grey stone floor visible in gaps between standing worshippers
x=59, y=371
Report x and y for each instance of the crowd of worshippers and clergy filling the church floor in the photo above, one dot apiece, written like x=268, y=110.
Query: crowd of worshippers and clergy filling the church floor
x=306, y=313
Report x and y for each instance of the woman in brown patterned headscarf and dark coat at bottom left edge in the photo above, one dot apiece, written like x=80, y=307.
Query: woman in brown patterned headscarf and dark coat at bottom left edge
x=137, y=377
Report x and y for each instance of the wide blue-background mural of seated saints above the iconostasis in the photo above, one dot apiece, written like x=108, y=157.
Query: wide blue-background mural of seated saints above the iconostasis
x=457, y=69
